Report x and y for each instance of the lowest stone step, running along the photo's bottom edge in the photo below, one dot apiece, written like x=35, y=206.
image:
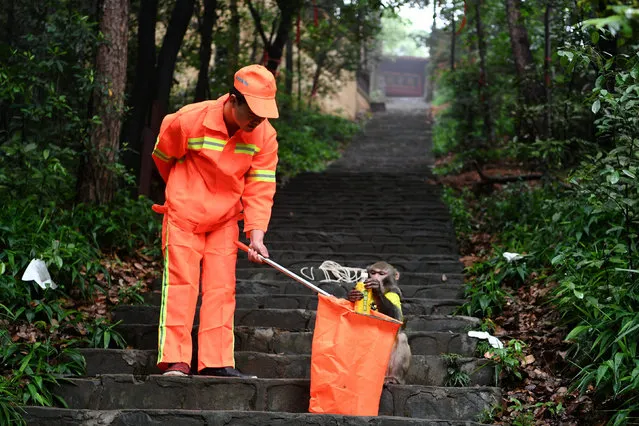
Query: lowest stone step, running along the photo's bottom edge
x=49, y=416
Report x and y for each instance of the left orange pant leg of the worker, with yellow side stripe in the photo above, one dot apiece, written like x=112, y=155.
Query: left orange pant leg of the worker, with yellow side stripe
x=180, y=286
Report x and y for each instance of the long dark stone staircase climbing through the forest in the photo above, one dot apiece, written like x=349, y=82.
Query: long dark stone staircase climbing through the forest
x=372, y=204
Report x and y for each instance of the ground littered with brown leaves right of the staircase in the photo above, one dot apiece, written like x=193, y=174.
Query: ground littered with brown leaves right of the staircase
x=537, y=377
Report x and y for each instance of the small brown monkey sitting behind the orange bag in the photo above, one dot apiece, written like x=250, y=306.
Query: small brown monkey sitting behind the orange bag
x=382, y=280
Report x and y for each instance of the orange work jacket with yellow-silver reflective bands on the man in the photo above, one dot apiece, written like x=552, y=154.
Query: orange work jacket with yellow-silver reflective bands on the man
x=211, y=178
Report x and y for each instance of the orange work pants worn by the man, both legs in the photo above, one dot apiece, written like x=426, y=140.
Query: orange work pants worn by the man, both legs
x=183, y=252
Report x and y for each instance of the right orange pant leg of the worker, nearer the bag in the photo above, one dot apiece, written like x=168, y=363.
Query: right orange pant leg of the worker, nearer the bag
x=215, y=336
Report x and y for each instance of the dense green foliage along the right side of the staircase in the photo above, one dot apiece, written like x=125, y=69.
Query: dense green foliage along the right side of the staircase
x=579, y=228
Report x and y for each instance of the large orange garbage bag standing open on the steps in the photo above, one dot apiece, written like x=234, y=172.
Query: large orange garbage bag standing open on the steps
x=349, y=358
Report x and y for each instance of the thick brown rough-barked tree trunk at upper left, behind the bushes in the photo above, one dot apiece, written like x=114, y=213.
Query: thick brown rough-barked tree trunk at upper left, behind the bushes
x=97, y=183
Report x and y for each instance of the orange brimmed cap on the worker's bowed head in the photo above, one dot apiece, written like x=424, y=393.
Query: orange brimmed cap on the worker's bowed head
x=257, y=84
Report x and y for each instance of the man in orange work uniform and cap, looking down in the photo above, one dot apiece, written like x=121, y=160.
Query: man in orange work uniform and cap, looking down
x=218, y=160
